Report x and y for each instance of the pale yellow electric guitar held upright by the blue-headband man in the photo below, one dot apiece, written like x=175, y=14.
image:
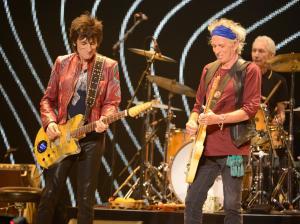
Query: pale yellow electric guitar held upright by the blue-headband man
x=198, y=143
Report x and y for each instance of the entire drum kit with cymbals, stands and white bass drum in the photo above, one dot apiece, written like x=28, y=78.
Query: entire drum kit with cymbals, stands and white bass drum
x=166, y=183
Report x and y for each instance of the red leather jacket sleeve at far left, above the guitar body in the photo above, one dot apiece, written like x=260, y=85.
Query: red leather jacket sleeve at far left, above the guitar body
x=48, y=104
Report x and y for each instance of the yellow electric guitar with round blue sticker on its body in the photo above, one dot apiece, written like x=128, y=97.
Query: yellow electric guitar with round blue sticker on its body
x=49, y=152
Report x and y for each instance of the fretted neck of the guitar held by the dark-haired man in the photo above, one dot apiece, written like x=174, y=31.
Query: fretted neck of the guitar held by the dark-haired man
x=91, y=126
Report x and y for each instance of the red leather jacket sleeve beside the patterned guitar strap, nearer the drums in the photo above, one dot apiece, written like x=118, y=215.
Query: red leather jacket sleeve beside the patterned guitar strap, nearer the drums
x=113, y=92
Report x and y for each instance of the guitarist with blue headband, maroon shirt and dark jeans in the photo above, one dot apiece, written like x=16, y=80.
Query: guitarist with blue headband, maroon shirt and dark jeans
x=236, y=100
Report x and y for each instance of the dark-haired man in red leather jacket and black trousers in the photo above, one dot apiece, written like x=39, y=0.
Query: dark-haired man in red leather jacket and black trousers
x=67, y=95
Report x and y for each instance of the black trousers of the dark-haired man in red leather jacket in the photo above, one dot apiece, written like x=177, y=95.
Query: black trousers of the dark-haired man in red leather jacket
x=88, y=163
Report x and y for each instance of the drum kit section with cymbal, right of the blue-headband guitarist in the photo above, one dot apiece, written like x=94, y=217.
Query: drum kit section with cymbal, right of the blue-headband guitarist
x=268, y=184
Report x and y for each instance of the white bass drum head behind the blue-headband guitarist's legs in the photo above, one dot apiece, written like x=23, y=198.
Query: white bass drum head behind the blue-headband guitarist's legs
x=177, y=174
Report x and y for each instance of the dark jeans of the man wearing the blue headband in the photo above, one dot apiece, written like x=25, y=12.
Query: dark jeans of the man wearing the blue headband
x=209, y=168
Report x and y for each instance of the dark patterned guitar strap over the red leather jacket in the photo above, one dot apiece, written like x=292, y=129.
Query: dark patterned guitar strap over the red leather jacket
x=97, y=75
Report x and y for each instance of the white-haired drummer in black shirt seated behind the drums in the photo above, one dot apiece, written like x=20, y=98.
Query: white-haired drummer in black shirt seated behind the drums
x=263, y=49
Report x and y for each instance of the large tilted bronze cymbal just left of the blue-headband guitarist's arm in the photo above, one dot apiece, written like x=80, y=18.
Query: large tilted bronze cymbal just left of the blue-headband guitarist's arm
x=172, y=85
